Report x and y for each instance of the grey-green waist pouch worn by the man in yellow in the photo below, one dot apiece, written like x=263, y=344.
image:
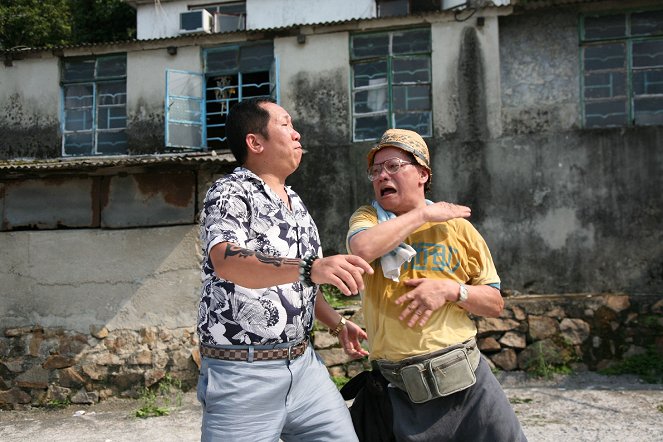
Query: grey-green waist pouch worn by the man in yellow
x=434, y=375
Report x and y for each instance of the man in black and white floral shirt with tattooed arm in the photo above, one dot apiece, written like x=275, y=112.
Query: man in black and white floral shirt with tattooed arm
x=260, y=379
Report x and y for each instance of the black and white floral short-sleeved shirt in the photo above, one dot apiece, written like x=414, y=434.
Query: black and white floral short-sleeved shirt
x=240, y=208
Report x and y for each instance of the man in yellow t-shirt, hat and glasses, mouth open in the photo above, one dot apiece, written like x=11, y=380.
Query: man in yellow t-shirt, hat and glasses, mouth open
x=431, y=269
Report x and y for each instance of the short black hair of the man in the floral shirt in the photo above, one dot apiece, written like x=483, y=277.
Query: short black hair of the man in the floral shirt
x=246, y=117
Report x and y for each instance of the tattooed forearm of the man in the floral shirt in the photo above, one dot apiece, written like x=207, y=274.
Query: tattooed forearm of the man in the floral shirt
x=252, y=269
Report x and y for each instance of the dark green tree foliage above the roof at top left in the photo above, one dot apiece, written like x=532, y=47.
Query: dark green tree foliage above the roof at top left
x=47, y=23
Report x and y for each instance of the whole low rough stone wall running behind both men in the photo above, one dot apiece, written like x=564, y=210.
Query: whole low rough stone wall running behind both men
x=39, y=366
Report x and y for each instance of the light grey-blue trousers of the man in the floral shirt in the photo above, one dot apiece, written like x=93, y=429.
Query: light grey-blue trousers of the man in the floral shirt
x=263, y=401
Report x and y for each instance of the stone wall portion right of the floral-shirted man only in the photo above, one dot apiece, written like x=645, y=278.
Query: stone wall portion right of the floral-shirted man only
x=582, y=331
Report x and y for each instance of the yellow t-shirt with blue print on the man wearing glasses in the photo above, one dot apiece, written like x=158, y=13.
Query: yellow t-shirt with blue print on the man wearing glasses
x=450, y=250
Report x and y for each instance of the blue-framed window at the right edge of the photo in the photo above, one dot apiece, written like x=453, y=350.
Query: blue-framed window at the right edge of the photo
x=622, y=69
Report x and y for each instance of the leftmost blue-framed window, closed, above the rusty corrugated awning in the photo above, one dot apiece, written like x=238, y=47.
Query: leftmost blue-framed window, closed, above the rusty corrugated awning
x=94, y=105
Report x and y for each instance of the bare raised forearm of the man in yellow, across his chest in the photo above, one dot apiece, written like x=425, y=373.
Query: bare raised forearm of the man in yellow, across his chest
x=384, y=237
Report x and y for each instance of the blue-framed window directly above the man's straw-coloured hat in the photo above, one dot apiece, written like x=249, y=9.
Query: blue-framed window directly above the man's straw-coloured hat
x=391, y=82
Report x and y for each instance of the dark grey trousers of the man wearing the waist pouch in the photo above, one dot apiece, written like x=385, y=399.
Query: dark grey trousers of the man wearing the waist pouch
x=479, y=413
